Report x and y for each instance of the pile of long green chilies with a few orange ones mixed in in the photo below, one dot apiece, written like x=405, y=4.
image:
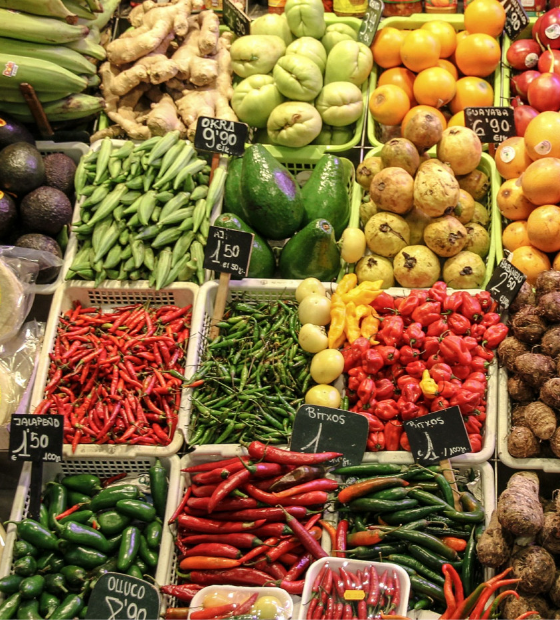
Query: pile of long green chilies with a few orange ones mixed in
x=407, y=515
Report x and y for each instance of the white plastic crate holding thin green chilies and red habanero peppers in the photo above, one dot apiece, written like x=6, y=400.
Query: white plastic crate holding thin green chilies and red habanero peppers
x=264, y=290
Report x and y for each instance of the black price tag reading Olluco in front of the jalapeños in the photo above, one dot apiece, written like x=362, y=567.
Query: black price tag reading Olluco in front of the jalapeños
x=121, y=597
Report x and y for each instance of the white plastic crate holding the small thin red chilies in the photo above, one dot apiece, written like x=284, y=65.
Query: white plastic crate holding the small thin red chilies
x=107, y=296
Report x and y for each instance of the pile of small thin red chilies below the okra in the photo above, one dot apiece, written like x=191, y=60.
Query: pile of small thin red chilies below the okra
x=117, y=377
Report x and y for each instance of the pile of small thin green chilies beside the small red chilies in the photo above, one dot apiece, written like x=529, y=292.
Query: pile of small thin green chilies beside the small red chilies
x=255, y=376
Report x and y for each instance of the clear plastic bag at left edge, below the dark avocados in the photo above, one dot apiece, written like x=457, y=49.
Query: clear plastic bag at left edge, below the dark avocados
x=19, y=268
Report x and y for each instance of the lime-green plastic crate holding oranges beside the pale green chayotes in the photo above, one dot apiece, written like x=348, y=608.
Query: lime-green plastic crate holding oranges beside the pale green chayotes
x=413, y=22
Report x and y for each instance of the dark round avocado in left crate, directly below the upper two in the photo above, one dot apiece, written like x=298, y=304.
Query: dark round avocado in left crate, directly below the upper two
x=46, y=210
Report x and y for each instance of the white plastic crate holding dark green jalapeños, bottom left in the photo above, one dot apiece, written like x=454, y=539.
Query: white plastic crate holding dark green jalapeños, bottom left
x=103, y=469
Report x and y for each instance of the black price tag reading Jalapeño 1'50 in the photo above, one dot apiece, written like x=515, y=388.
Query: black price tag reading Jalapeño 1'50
x=36, y=437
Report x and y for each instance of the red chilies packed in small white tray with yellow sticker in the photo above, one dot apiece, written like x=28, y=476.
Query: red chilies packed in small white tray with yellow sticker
x=332, y=597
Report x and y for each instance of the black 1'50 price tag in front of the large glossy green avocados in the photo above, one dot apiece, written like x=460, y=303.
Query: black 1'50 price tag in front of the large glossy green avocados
x=228, y=251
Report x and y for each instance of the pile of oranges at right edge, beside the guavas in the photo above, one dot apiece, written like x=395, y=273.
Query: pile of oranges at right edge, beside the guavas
x=530, y=195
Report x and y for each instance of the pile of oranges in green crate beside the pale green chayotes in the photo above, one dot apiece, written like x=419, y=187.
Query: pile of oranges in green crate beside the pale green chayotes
x=435, y=67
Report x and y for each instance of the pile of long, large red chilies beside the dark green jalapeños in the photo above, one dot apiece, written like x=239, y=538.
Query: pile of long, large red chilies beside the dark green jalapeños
x=236, y=528
